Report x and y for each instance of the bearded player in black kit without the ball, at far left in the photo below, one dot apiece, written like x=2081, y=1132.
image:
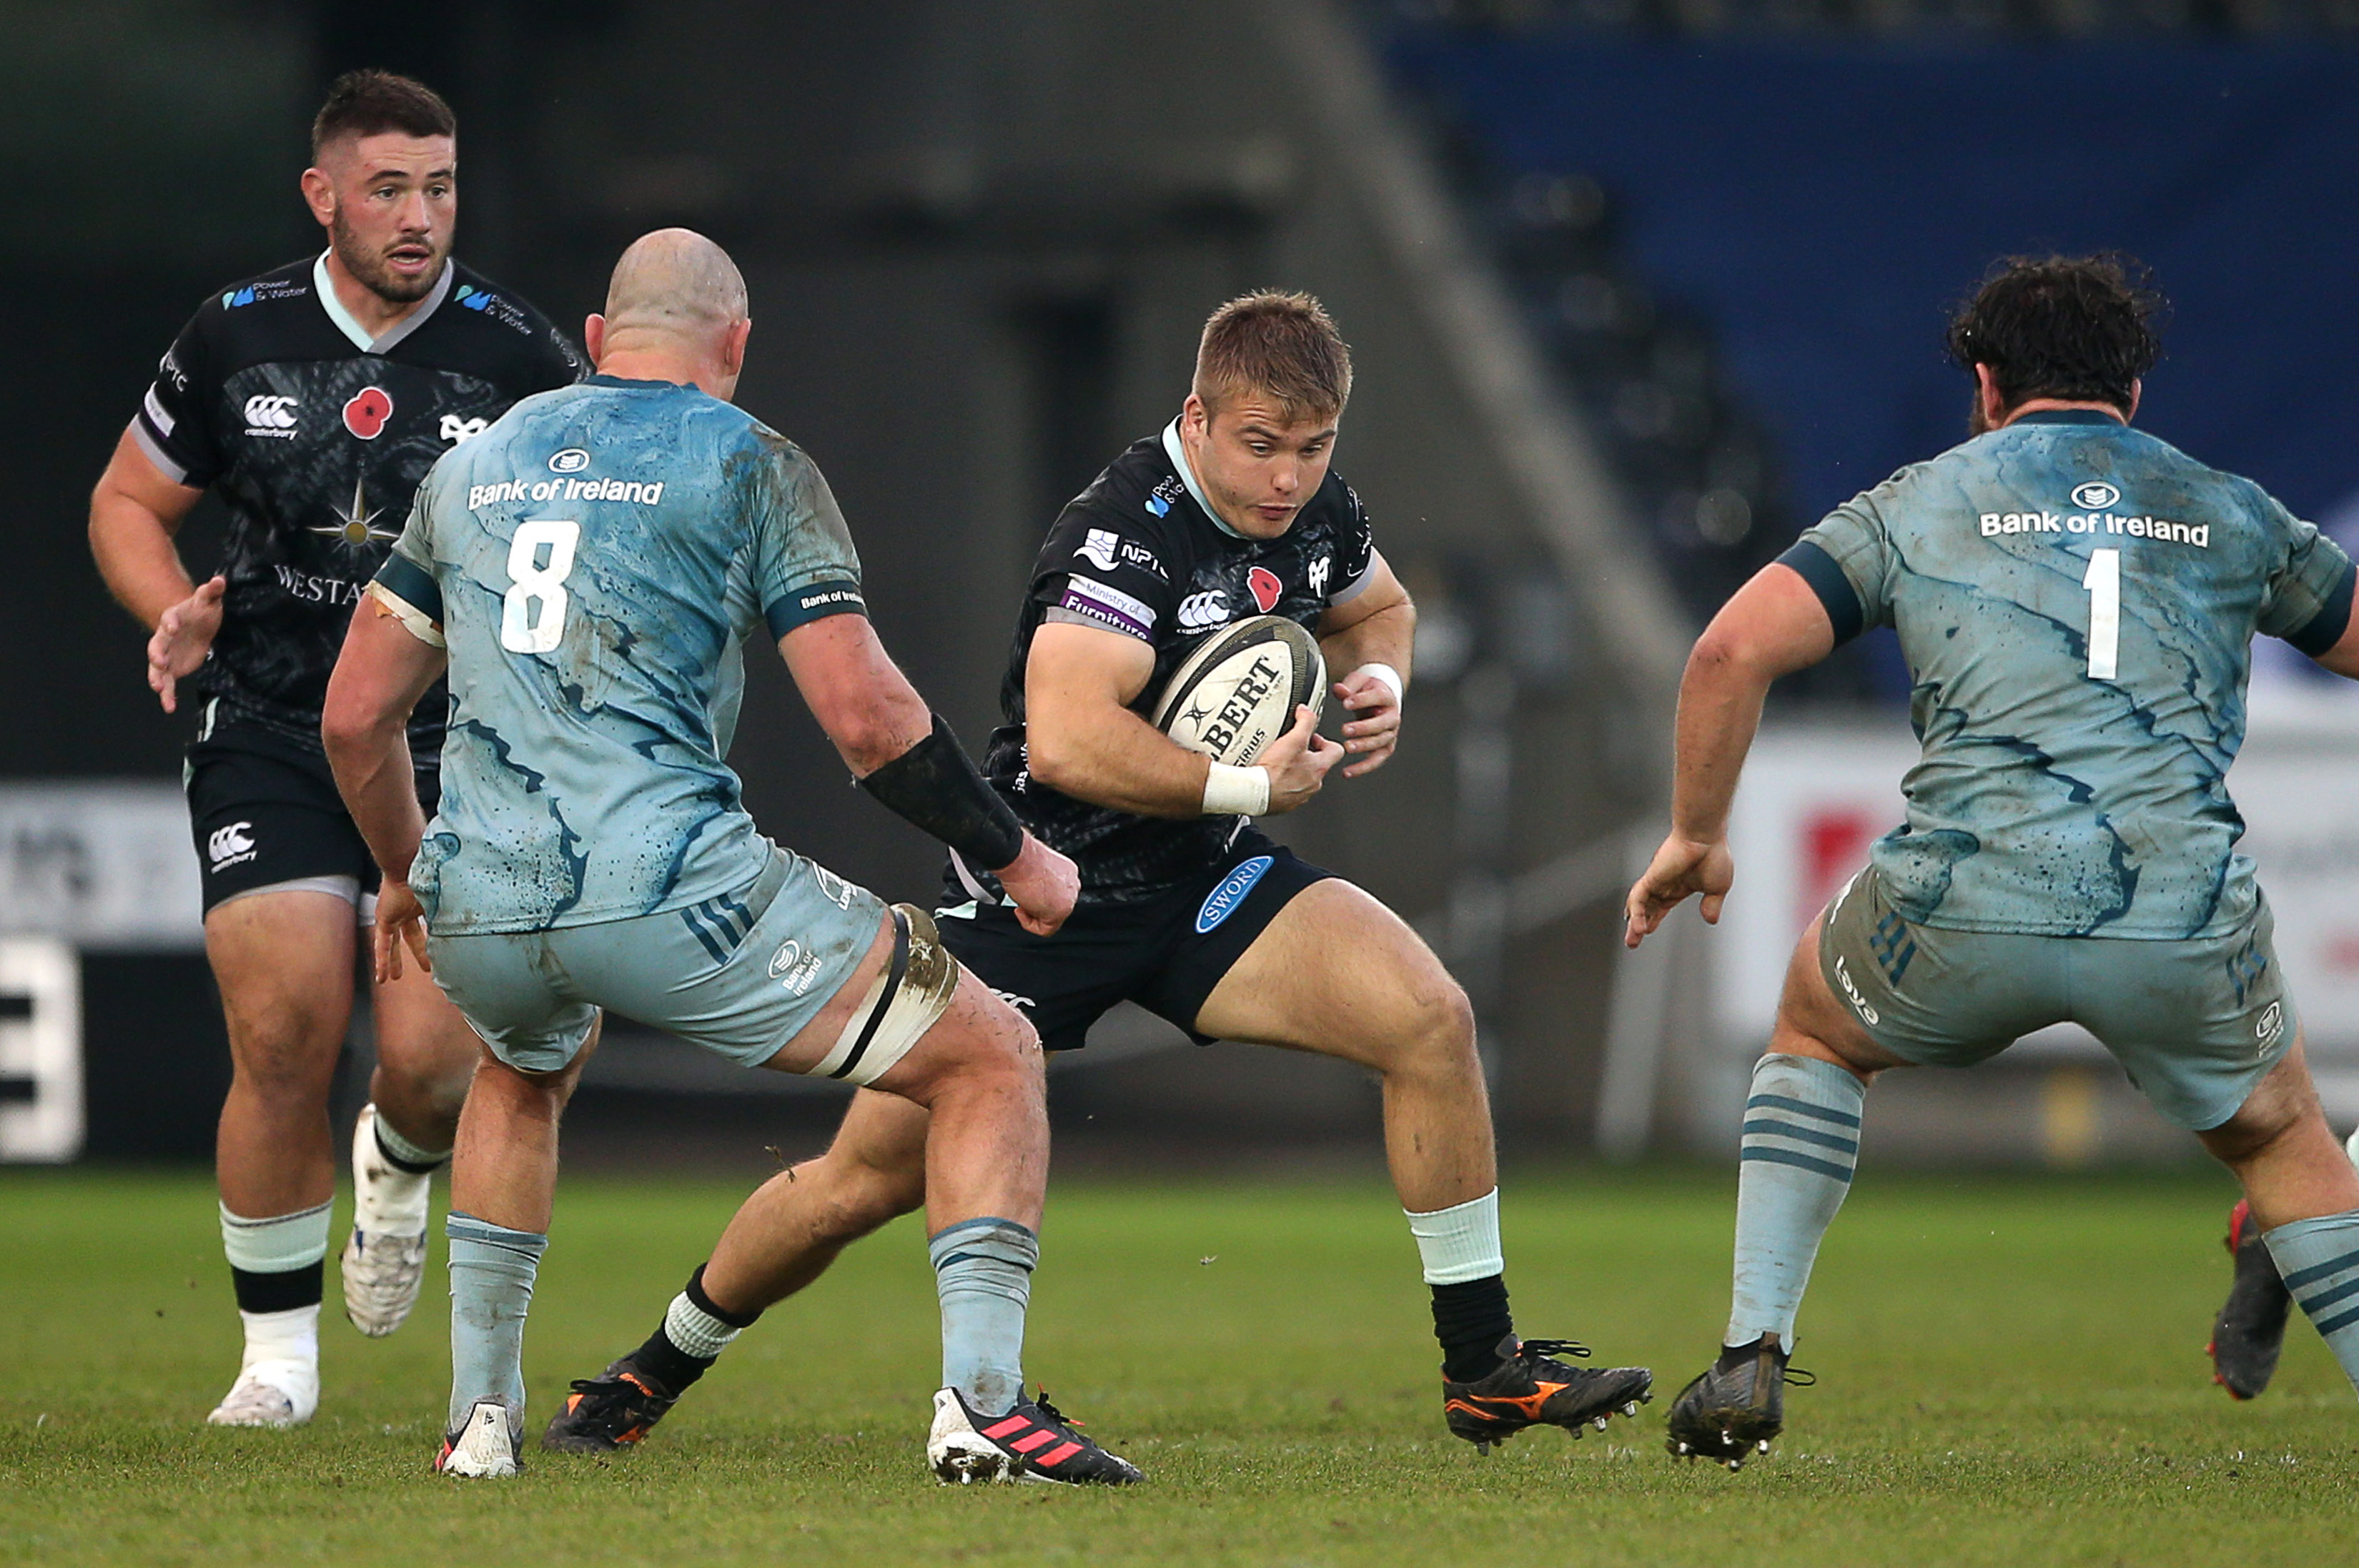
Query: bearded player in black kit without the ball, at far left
x=313, y=400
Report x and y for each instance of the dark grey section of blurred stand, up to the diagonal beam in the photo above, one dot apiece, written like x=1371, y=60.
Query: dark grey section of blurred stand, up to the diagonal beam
x=980, y=244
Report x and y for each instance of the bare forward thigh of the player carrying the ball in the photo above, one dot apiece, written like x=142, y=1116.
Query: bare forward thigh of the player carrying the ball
x=1341, y=975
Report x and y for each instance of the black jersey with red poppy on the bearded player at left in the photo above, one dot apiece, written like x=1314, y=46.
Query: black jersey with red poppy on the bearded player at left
x=317, y=437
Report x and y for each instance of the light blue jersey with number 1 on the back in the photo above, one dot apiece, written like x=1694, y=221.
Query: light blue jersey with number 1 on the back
x=2077, y=605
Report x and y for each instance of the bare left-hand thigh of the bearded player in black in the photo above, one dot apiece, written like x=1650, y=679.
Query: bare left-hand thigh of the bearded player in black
x=284, y=963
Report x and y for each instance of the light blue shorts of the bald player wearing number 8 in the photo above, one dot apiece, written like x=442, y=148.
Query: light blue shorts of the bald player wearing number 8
x=737, y=975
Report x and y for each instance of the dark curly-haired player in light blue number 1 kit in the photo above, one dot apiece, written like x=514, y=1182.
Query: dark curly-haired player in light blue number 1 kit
x=2077, y=605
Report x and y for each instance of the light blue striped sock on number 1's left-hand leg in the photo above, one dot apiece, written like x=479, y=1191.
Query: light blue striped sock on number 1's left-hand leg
x=1799, y=1152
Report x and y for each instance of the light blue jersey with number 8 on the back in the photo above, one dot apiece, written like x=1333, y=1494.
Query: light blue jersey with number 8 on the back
x=598, y=560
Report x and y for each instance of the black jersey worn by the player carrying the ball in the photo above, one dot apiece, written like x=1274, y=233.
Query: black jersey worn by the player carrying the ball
x=1143, y=555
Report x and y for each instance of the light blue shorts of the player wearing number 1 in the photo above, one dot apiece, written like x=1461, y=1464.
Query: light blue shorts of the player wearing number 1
x=2195, y=1025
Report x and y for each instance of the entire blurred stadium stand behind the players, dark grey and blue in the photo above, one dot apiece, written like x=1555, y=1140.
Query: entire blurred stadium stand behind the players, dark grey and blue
x=1636, y=289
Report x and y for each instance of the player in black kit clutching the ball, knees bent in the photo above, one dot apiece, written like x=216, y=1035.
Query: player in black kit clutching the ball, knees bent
x=1185, y=907
